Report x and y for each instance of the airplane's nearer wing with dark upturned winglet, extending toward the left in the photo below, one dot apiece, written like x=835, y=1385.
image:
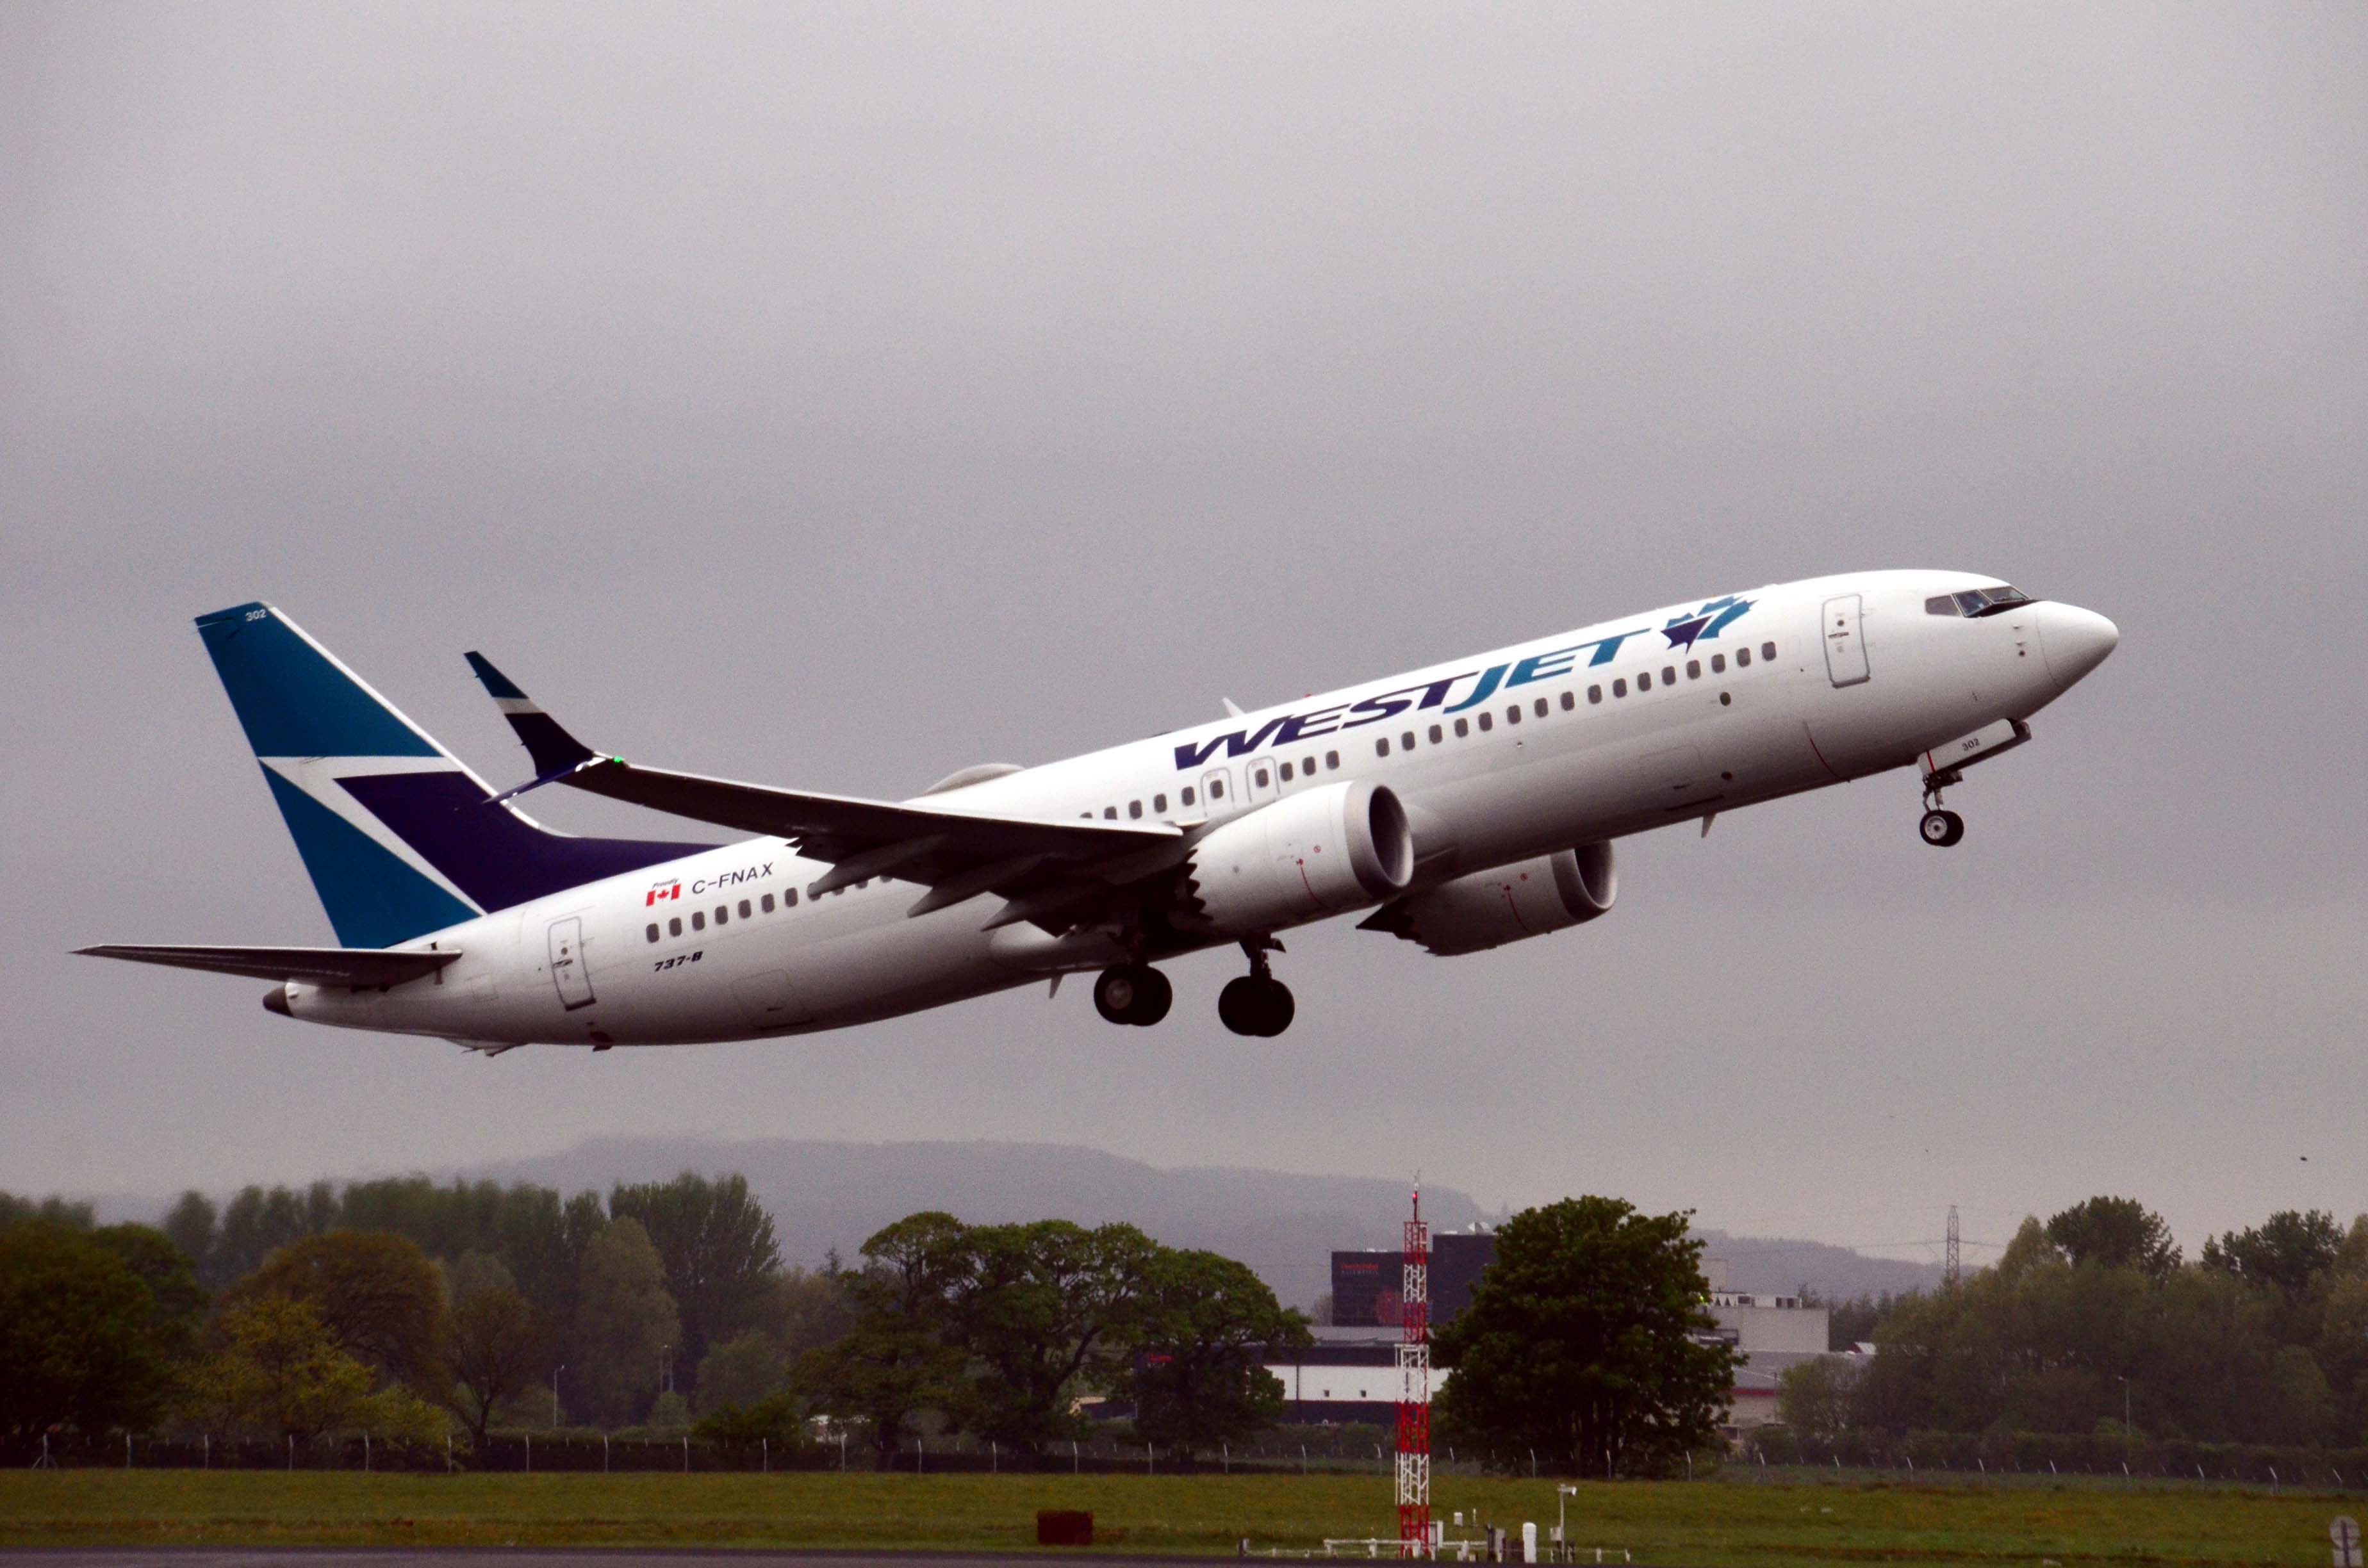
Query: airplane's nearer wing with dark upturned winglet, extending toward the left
x=1038, y=866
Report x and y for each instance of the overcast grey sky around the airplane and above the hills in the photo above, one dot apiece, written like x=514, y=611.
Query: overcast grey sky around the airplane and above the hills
x=847, y=394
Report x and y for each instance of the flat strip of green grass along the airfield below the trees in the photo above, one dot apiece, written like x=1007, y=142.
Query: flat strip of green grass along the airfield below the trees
x=1711, y=1524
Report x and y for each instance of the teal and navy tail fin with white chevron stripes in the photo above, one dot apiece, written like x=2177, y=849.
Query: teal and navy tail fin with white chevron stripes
x=399, y=837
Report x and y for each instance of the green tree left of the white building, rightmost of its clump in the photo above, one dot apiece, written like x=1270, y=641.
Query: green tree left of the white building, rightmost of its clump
x=1199, y=1375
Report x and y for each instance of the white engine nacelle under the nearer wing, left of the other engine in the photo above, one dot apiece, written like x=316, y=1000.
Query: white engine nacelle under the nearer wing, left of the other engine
x=1301, y=859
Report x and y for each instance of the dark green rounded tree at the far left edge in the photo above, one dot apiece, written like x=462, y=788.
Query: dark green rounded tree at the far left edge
x=77, y=1337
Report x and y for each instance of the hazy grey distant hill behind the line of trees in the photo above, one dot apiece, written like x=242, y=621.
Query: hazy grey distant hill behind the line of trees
x=830, y=1197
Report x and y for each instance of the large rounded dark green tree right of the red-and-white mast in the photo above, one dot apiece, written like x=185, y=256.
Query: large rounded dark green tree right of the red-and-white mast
x=1583, y=1342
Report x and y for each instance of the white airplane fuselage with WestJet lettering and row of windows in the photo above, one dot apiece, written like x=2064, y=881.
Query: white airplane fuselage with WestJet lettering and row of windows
x=1578, y=766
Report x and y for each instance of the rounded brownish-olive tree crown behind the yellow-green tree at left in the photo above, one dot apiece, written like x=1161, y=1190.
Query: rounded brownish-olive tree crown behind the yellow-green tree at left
x=378, y=1294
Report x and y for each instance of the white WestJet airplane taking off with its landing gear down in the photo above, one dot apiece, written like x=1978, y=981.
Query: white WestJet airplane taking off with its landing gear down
x=1460, y=807
